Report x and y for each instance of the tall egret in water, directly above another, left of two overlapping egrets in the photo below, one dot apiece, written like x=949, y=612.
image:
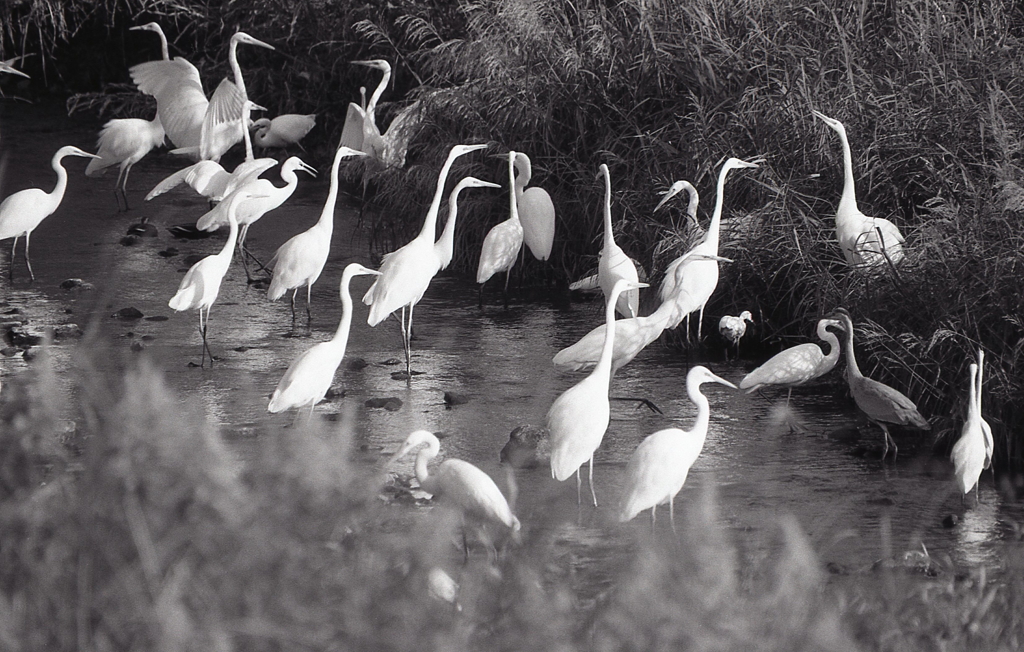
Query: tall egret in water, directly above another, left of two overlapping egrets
x=301, y=260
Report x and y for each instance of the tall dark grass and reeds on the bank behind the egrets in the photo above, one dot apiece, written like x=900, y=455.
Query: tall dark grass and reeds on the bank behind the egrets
x=929, y=92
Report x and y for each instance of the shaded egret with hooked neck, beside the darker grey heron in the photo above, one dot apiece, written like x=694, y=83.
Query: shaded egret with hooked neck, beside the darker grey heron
x=797, y=365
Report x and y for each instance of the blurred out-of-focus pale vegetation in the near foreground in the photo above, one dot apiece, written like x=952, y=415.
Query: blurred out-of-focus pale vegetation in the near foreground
x=139, y=531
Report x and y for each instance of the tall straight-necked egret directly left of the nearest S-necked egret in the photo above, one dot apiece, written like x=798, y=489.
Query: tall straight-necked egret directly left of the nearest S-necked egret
x=580, y=416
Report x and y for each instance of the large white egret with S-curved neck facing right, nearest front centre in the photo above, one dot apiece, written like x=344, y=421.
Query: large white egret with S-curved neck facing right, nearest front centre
x=659, y=467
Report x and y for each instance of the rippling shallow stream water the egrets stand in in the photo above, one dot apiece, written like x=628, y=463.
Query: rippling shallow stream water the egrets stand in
x=498, y=360
